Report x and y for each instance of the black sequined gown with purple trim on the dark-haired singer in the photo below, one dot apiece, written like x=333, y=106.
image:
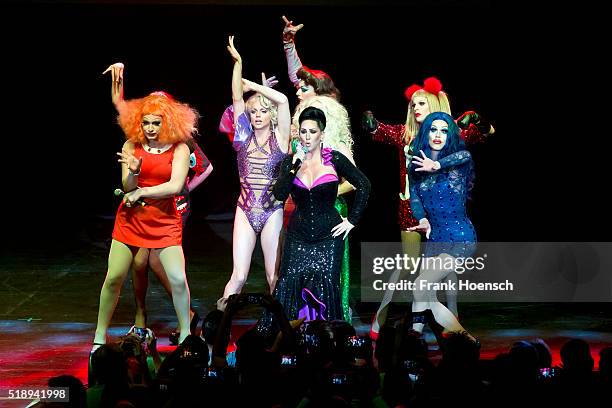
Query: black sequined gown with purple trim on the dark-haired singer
x=312, y=258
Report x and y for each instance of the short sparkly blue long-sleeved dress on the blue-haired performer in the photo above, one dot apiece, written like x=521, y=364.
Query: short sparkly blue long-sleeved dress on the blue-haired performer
x=440, y=197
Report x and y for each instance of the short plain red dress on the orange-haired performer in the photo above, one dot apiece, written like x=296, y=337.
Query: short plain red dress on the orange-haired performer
x=157, y=224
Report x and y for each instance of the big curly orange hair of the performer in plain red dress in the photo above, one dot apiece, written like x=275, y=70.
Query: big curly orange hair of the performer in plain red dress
x=179, y=120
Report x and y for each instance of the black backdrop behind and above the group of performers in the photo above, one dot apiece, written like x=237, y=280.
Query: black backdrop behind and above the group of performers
x=531, y=71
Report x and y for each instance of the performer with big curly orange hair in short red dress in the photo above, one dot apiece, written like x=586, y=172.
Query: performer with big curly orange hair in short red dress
x=154, y=166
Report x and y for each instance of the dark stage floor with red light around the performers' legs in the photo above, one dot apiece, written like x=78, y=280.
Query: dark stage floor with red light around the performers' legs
x=49, y=302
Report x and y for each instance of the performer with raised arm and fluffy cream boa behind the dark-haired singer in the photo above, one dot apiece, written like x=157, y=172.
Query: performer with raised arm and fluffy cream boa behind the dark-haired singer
x=320, y=86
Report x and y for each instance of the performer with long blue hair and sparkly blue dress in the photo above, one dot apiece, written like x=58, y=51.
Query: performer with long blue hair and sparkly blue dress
x=441, y=176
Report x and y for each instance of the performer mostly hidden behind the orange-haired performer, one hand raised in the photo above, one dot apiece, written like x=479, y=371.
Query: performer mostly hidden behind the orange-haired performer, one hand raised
x=199, y=169
